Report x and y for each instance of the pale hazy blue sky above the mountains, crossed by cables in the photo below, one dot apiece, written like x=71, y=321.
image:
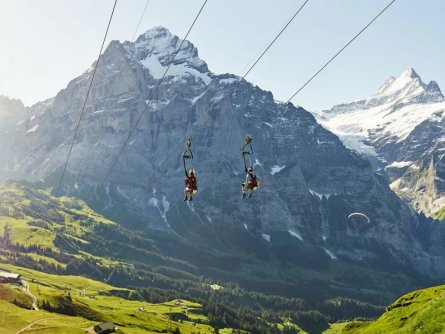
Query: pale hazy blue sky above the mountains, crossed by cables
x=47, y=43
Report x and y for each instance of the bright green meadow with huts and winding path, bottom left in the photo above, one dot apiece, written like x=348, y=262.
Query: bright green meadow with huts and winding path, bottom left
x=124, y=312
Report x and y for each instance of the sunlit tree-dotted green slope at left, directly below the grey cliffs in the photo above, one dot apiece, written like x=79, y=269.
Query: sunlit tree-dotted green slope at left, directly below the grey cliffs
x=69, y=228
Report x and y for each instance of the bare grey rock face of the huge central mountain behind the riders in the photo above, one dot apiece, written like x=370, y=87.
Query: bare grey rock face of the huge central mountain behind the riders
x=311, y=181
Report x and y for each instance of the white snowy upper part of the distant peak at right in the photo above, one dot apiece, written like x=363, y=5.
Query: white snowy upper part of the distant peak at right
x=388, y=117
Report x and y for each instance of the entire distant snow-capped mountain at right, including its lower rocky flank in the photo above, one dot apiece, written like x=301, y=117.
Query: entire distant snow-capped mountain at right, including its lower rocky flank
x=402, y=125
